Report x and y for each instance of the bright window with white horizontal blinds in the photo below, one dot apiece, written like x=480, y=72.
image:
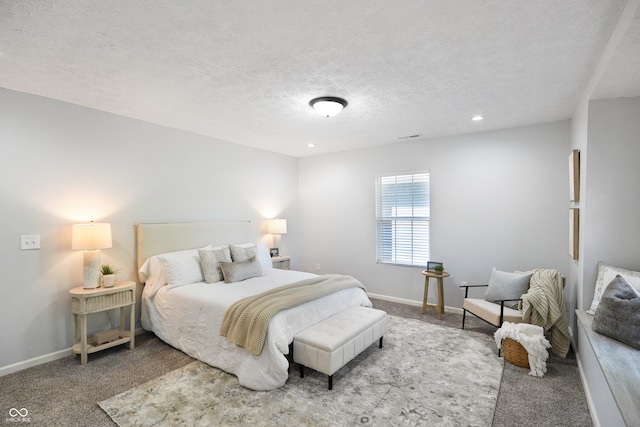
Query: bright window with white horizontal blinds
x=402, y=217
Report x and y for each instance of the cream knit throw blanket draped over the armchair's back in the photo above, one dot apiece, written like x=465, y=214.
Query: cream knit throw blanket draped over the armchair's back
x=545, y=304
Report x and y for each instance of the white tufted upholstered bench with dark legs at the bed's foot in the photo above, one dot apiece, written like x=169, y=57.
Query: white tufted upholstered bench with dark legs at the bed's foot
x=329, y=345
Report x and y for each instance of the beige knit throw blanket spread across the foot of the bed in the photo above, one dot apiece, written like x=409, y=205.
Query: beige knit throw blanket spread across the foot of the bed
x=245, y=322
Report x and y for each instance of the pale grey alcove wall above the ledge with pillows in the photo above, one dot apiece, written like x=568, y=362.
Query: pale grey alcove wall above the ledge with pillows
x=612, y=189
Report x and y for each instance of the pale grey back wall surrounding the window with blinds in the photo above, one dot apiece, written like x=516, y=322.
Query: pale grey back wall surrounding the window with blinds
x=498, y=199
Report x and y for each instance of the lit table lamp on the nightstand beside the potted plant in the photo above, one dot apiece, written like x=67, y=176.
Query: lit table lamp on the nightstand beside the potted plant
x=91, y=238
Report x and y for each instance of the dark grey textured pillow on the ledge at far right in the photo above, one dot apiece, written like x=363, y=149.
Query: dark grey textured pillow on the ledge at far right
x=618, y=313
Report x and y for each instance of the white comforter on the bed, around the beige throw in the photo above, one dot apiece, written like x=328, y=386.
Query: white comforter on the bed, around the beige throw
x=189, y=317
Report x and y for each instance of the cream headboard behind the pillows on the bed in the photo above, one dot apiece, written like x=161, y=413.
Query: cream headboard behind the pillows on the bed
x=154, y=239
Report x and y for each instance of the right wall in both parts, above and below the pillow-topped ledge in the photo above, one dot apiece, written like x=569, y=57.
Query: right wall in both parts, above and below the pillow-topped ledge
x=610, y=208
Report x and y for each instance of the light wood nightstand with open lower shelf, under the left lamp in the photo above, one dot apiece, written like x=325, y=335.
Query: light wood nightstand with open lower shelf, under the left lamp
x=88, y=301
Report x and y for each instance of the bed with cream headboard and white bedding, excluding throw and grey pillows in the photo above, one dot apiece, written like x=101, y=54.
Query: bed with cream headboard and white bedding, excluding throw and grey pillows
x=186, y=312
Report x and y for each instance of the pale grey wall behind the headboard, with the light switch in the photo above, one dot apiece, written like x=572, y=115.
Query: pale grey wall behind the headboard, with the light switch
x=62, y=164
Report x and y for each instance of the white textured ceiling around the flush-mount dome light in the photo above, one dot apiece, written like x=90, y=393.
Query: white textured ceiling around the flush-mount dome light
x=244, y=71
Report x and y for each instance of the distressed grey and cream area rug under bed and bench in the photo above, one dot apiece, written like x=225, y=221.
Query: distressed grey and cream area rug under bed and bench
x=425, y=374
